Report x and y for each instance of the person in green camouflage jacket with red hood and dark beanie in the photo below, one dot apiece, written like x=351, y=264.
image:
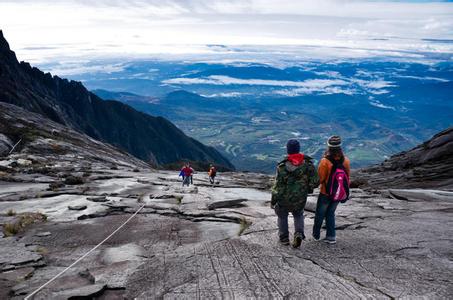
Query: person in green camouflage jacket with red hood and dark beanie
x=296, y=178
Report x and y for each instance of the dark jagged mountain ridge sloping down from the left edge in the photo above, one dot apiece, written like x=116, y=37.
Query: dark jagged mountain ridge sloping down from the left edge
x=152, y=139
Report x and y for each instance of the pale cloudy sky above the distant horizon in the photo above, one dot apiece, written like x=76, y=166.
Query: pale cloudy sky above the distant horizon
x=42, y=29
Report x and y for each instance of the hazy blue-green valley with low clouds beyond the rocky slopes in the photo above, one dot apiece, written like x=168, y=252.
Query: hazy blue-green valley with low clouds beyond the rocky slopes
x=248, y=111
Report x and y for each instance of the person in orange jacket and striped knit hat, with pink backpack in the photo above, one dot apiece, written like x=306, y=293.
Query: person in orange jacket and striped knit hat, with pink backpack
x=334, y=171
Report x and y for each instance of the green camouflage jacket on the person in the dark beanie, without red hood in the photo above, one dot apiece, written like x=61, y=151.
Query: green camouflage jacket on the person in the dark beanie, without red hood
x=293, y=184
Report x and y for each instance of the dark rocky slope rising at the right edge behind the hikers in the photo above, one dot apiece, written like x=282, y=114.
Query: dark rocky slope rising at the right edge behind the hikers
x=429, y=165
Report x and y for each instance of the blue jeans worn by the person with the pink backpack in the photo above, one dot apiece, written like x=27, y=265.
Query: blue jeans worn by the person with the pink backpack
x=325, y=209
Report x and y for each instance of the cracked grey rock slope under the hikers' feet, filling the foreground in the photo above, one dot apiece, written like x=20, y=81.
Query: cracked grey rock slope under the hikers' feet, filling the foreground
x=391, y=244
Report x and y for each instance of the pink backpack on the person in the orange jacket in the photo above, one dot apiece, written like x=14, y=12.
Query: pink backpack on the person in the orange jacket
x=338, y=183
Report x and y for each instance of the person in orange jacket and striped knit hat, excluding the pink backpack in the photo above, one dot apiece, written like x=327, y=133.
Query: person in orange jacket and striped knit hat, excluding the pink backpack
x=325, y=207
